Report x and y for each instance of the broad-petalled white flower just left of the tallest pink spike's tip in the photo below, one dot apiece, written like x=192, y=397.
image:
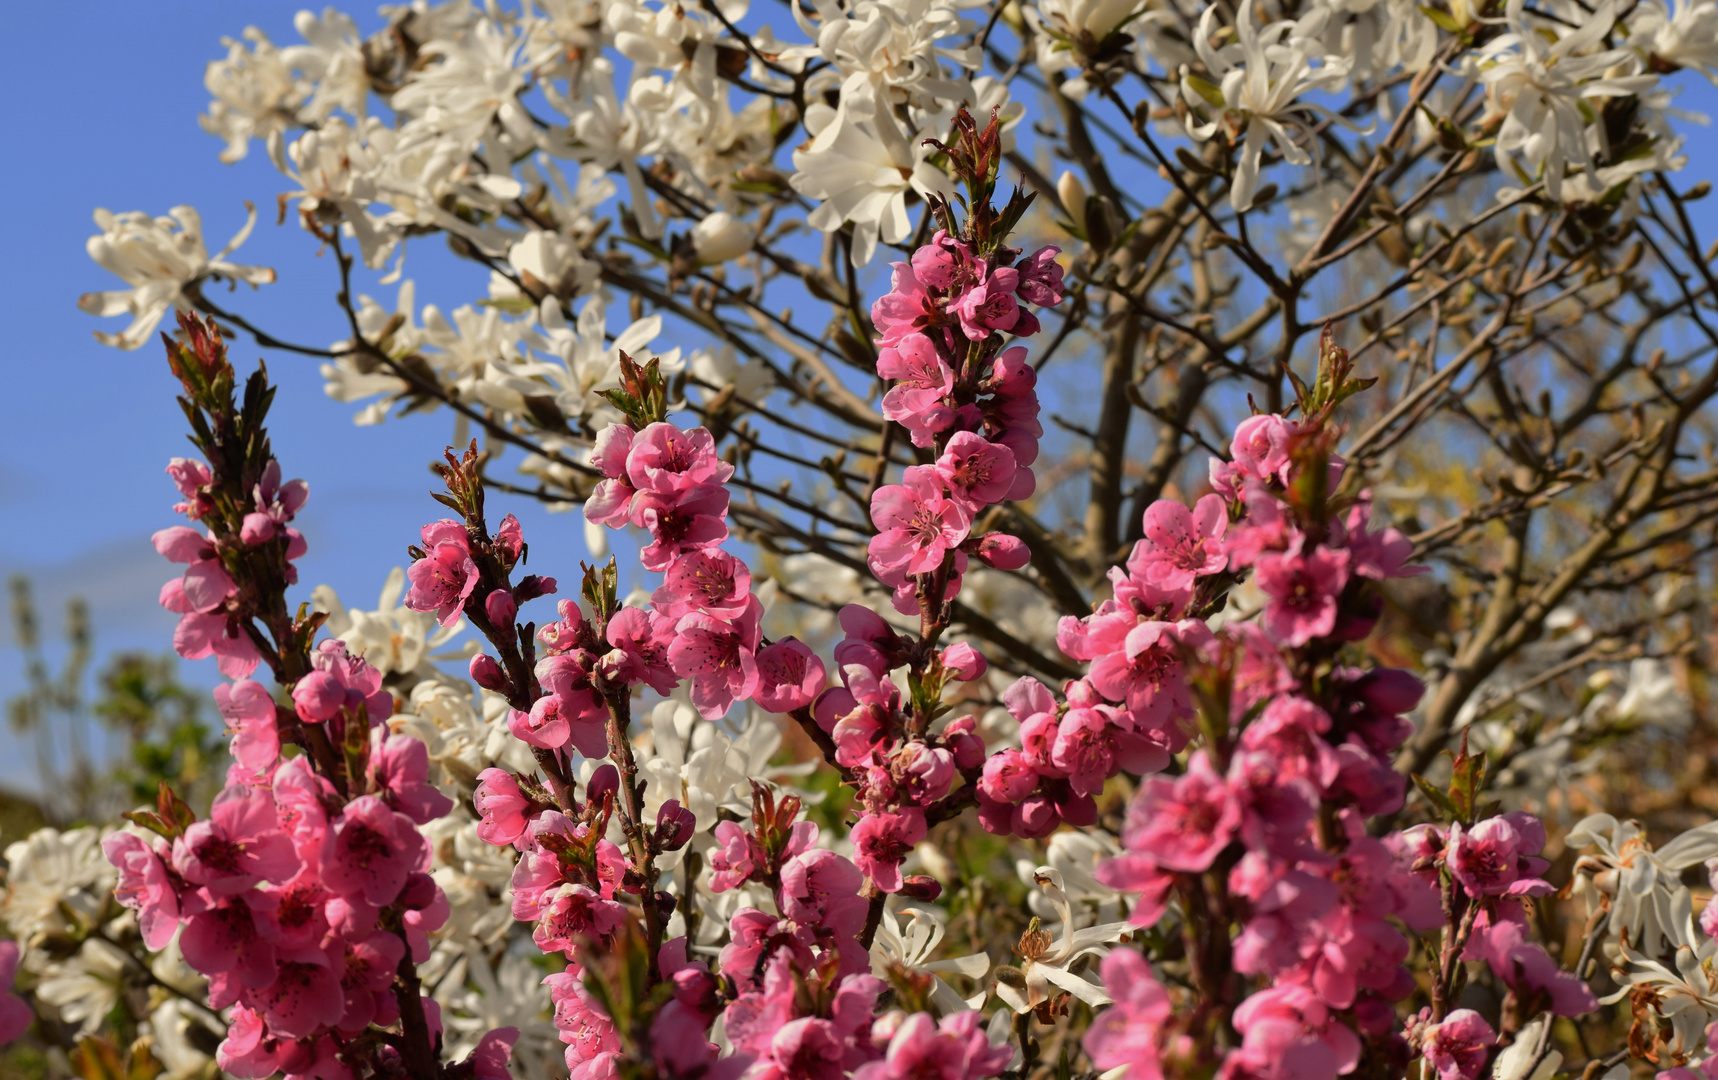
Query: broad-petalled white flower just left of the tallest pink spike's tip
x=863, y=173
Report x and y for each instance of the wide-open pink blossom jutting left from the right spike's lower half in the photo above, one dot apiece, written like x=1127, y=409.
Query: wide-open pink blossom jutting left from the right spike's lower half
x=1183, y=823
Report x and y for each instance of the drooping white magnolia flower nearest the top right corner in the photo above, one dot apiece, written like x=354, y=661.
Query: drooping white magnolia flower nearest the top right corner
x=1544, y=92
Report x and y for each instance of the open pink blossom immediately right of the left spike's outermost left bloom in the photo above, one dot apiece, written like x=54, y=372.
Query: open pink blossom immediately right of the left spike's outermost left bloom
x=238, y=846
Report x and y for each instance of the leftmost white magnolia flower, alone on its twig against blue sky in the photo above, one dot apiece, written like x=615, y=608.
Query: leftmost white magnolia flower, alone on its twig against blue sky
x=159, y=258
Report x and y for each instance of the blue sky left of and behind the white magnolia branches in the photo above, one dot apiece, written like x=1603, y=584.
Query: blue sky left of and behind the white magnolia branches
x=106, y=114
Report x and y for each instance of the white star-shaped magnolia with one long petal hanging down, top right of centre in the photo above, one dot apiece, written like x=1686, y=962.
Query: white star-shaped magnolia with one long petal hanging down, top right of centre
x=1260, y=82
